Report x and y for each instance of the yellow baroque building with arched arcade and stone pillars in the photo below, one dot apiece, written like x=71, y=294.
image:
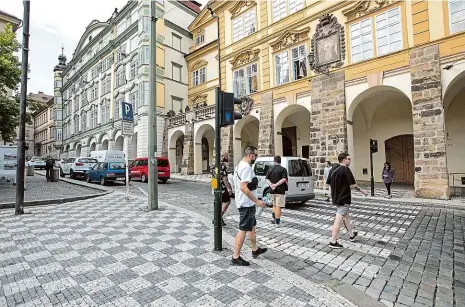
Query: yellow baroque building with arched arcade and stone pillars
x=324, y=77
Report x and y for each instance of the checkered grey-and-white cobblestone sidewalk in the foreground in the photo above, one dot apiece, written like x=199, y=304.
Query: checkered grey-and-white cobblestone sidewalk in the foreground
x=112, y=252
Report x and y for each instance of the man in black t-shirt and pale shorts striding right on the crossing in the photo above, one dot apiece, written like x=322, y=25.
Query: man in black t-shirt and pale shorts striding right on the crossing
x=342, y=180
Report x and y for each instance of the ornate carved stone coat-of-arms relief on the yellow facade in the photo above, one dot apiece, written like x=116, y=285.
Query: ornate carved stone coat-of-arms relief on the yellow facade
x=328, y=45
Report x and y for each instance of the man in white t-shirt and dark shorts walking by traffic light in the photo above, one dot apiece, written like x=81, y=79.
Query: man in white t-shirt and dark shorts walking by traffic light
x=246, y=198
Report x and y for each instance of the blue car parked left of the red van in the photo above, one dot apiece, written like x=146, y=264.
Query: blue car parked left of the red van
x=106, y=172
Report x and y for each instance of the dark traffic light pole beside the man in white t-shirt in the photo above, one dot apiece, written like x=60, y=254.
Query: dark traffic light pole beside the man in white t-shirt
x=218, y=235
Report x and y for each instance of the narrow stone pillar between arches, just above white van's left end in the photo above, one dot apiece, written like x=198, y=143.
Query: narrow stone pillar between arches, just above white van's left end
x=266, y=129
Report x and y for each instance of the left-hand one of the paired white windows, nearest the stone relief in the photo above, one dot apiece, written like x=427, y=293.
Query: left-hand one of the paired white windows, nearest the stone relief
x=363, y=45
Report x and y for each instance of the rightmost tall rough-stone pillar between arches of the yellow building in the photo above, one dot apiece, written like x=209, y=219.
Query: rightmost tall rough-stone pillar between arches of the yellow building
x=431, y=178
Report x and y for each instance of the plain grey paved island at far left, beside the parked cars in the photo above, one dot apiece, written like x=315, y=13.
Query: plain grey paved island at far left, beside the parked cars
x=37, y=188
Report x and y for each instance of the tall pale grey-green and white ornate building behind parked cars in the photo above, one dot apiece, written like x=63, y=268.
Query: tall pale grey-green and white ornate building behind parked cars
x=111, y=65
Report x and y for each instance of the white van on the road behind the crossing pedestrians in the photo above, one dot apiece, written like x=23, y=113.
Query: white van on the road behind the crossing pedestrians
x=300, y=184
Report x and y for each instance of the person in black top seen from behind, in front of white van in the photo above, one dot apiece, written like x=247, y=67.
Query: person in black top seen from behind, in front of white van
x=276, y=178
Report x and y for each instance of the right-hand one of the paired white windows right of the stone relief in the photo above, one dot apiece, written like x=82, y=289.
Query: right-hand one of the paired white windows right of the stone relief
x=388, y=31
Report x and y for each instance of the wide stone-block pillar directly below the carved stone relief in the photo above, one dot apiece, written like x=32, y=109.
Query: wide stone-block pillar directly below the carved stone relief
x=328, y=130
